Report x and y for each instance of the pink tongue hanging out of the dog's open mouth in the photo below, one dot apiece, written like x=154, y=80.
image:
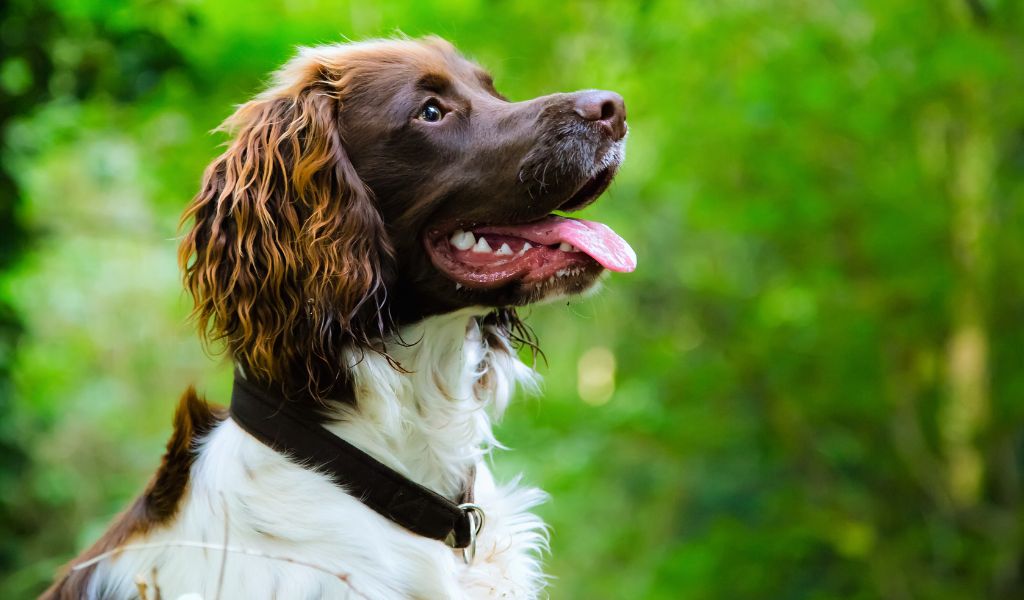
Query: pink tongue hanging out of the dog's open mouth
x=598, y=240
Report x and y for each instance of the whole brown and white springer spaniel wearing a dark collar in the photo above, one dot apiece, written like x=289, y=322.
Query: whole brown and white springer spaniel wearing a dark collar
x=360, y=248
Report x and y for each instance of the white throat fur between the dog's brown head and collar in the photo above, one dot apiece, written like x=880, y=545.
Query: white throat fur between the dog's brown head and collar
x=432, y=420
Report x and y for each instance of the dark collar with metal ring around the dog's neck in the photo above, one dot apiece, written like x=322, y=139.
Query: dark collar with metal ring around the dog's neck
x=280, y=425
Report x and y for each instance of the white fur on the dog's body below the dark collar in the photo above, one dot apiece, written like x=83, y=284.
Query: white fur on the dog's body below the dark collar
x=254, y=526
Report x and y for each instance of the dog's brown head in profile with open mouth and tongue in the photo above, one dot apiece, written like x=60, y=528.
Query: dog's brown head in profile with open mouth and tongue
x=377, y=184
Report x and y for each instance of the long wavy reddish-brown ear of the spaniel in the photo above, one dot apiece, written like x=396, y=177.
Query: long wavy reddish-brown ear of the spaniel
x=284, y=245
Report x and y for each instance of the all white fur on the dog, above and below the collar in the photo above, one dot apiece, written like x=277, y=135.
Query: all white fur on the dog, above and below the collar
x=292, y=534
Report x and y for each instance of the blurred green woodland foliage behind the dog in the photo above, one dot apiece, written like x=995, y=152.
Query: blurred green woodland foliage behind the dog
x=812, y=389
